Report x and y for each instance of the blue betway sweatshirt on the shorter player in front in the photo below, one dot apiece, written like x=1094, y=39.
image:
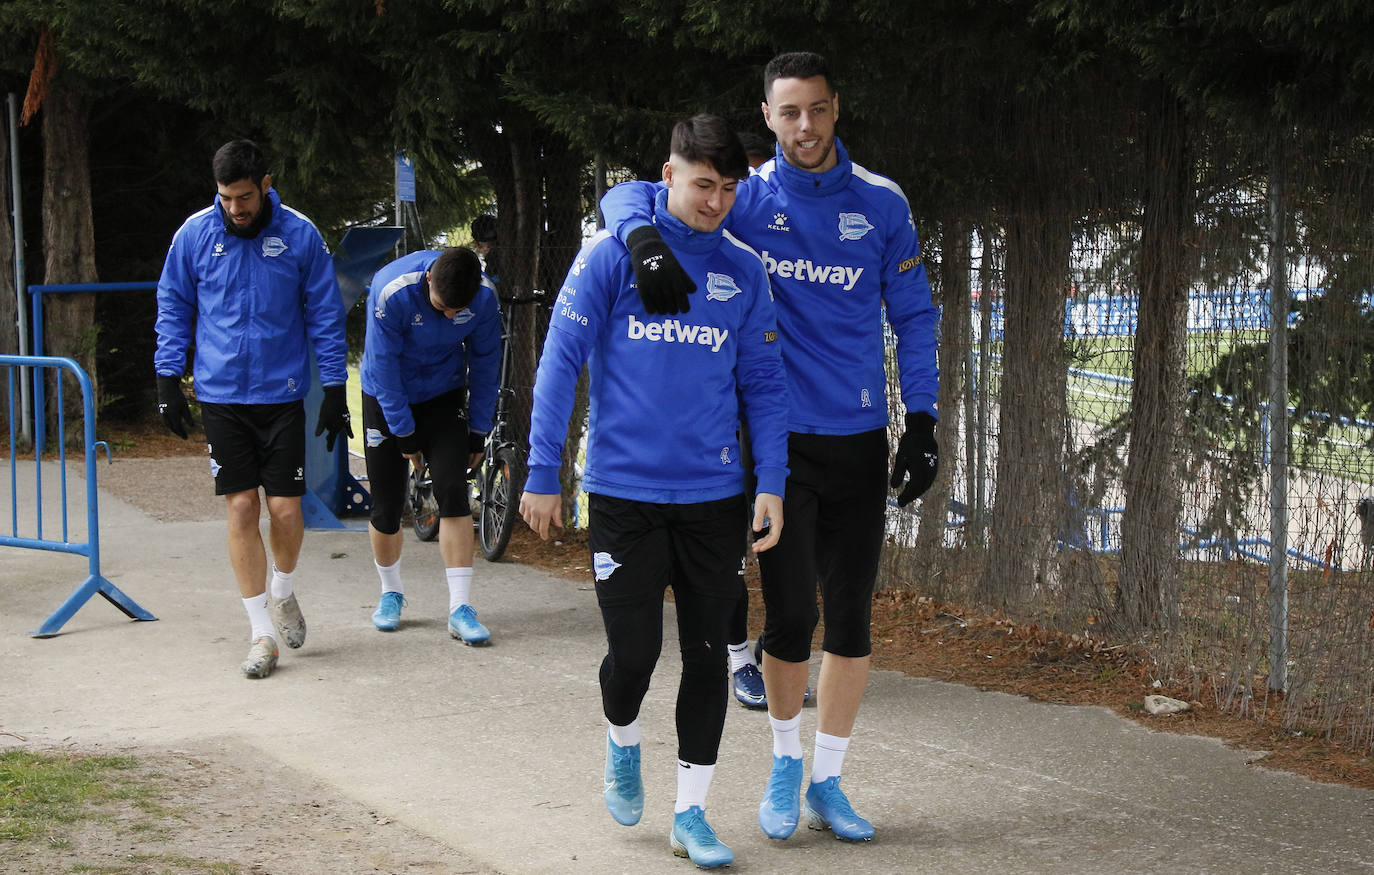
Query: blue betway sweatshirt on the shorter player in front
x=664, y=407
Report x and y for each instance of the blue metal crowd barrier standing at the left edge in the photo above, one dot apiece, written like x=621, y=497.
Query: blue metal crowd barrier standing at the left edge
x=95, y=583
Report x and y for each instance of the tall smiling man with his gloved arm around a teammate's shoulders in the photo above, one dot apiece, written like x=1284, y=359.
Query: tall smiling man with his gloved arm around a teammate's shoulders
x=840, y=245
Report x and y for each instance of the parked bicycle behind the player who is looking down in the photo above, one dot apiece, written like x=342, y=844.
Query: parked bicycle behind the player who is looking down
x=494, y=487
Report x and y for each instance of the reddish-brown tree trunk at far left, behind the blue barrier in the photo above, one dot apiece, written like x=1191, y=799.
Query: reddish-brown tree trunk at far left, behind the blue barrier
x=68, y=233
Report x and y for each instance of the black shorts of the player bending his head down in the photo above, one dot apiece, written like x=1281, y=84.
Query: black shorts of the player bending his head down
x=442, y=436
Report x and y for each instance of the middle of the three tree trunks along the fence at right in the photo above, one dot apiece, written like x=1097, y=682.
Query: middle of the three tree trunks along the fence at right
x=1030, y=480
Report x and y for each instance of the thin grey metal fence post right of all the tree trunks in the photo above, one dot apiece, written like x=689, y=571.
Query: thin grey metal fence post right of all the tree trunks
x=1279, y=432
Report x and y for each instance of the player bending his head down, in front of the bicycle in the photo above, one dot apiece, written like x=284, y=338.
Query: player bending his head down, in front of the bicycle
x=433, y=343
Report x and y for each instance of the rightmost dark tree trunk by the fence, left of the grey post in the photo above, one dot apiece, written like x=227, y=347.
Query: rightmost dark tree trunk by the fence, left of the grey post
x=1148, y=591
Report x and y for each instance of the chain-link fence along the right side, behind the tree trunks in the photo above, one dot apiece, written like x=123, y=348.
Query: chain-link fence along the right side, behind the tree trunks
x=1268, y=512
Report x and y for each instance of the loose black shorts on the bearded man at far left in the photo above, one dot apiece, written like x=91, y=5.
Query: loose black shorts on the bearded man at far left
x=255, y=446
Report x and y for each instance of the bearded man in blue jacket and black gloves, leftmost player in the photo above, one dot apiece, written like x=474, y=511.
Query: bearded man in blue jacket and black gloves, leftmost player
x=251, y=282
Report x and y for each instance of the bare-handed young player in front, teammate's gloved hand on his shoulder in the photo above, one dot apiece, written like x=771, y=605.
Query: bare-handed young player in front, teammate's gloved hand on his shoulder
x=664, y=477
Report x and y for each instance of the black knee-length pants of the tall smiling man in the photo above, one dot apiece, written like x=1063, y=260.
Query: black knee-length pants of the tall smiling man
x=835, y=517
